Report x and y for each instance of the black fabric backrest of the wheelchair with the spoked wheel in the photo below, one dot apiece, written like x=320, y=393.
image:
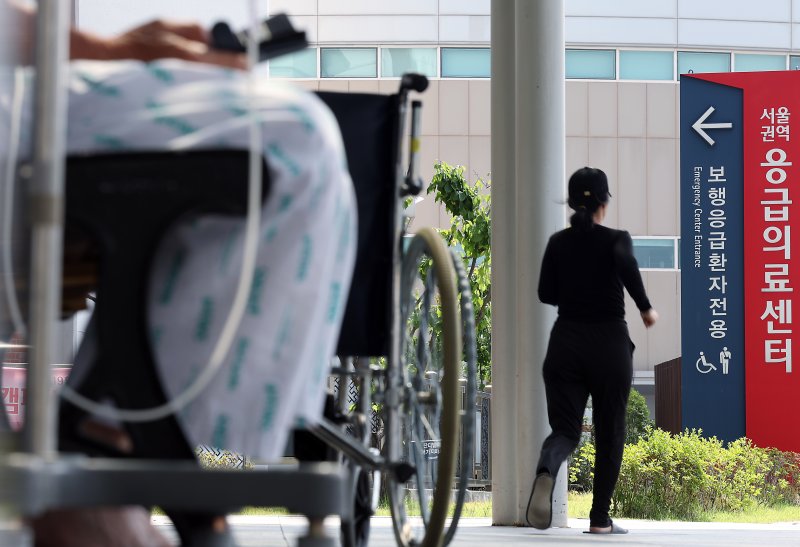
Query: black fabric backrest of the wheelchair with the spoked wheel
x=369, y=128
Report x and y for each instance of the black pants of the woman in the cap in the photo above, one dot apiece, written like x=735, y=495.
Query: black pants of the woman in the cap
x=588, y=359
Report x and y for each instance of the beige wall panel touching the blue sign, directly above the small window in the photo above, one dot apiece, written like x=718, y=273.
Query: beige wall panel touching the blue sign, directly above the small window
x=662, y=187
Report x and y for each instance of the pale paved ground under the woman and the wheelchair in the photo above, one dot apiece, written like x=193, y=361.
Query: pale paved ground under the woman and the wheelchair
x=478, y=532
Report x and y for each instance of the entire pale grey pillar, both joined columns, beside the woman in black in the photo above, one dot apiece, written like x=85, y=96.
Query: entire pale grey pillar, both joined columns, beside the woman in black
x=526, y=209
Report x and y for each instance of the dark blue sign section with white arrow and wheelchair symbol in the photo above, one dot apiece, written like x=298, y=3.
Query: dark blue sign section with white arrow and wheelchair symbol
x=712, y=258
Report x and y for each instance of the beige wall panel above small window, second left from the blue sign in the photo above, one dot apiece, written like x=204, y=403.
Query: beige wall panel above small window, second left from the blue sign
x=631, y=193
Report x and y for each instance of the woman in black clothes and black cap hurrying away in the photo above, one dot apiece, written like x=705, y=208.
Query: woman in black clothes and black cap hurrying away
x=584, y=270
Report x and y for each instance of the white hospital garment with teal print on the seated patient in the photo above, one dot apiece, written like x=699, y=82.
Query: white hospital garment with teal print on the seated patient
x=275, y=372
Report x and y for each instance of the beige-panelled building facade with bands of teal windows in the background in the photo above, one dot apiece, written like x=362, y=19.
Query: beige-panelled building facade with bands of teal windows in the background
x=623, y=61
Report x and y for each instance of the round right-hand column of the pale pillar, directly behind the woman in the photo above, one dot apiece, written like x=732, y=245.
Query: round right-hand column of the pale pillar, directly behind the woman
x=540, y=192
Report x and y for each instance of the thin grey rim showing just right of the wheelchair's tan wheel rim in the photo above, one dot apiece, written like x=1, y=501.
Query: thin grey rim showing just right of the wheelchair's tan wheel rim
x=466, y=454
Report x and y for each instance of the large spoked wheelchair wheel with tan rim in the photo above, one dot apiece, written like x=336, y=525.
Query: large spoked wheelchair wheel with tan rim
x=428, y=410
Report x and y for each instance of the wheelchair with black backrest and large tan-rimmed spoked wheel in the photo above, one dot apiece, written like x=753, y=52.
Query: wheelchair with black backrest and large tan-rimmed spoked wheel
x=408, y=322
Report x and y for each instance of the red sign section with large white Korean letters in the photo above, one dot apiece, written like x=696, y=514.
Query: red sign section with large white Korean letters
x=771, y=104
